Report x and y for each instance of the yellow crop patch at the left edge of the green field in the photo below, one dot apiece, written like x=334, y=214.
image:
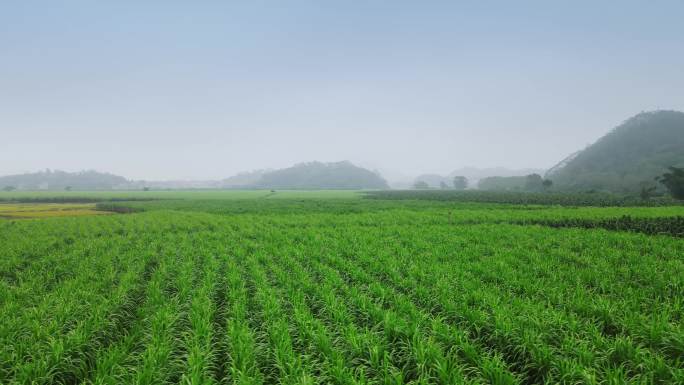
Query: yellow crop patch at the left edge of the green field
x=47, y=210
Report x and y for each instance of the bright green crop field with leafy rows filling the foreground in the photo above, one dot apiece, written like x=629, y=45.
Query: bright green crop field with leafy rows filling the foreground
x=257, y=287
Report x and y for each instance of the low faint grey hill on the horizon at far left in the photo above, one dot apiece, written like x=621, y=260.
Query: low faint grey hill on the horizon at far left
x=61, y=180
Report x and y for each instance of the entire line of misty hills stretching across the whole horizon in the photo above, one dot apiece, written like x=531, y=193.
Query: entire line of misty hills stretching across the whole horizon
x=626, y=159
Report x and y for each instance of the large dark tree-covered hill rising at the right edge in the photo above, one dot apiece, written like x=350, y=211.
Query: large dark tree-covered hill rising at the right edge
x=628, y=157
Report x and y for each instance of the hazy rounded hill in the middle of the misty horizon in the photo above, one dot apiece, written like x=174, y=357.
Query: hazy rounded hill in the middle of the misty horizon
x=314, y=176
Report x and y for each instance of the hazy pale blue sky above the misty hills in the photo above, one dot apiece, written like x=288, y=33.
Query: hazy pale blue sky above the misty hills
x=205, y=89
